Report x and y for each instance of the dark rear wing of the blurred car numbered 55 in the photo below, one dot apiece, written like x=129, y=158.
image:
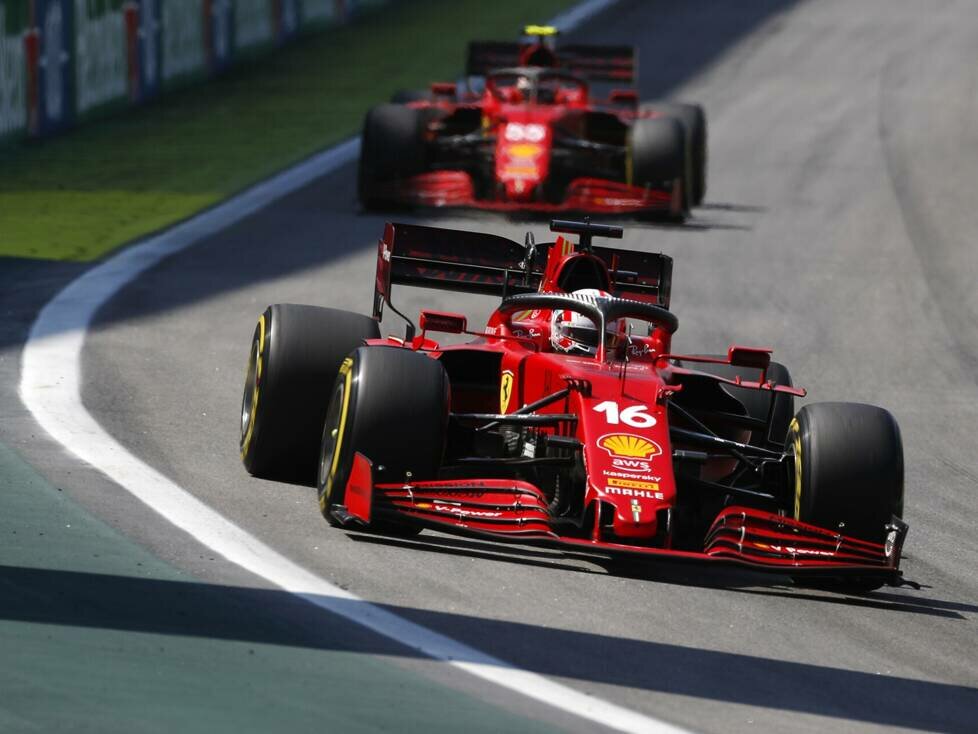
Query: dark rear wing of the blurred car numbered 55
x=617, y=64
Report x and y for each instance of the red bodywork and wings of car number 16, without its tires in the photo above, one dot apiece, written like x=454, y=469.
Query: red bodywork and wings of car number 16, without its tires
x=614, y=407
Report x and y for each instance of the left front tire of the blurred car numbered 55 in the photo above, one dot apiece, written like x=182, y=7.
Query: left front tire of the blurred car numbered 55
x=391, y=149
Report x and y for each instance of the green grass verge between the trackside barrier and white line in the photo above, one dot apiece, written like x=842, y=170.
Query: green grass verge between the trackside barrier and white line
x=81, y=195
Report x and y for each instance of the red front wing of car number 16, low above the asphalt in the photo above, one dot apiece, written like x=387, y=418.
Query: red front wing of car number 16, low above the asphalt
x=516, y=511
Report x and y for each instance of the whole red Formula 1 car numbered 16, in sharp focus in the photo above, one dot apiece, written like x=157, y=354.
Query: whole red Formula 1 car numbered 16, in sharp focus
x=567, y=421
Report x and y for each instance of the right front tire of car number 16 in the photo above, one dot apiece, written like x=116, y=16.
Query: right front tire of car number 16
x=848, y=472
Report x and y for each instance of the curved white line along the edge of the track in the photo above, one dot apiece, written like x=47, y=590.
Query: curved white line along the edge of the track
x=50, y=387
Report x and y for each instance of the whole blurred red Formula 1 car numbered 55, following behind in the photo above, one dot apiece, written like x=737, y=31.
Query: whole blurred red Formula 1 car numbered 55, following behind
x=532, y=135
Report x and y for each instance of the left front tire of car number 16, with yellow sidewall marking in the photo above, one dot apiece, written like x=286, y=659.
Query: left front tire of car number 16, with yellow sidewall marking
x=391, y=405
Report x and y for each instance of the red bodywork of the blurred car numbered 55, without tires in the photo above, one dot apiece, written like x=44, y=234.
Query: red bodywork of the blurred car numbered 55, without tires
x=522, y=170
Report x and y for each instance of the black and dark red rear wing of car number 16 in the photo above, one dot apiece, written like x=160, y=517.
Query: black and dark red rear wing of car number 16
x=476, y=262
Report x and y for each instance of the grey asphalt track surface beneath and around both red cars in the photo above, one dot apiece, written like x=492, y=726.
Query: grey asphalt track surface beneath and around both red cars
x=838, y=228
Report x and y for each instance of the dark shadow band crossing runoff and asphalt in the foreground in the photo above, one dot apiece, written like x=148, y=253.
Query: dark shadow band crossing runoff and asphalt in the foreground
x=43, y=596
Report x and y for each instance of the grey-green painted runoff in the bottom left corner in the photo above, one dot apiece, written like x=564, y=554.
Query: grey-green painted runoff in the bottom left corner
x=100, y=636
